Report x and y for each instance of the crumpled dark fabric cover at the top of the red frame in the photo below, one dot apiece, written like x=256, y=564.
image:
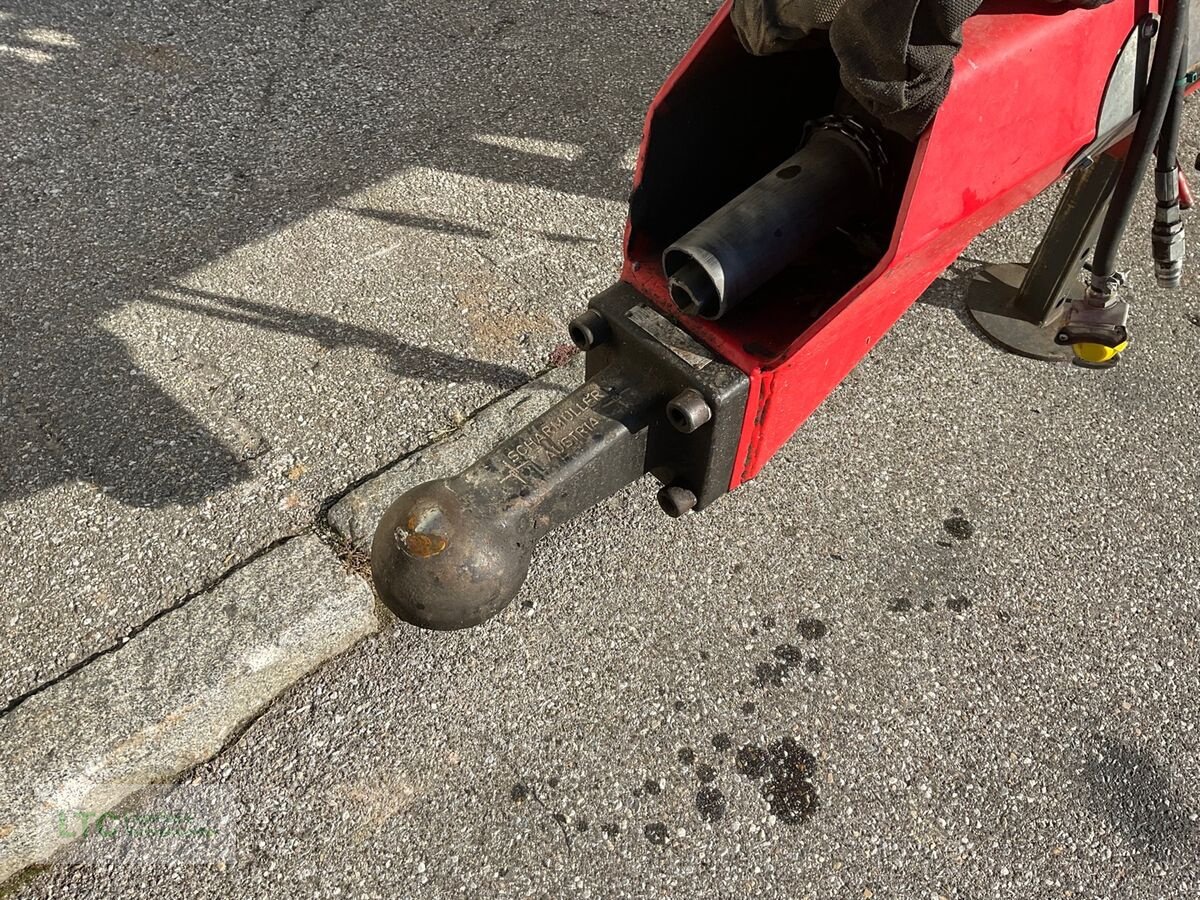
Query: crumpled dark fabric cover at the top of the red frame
x=897, y=56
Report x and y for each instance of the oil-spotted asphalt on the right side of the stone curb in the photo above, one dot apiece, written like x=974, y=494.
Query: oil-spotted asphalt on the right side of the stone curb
x=945, y=646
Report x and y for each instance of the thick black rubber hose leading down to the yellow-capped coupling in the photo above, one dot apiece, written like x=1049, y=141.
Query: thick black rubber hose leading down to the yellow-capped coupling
x=1173, y=35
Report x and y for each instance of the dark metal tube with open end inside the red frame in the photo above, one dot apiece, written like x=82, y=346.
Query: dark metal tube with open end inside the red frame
x=829, y=183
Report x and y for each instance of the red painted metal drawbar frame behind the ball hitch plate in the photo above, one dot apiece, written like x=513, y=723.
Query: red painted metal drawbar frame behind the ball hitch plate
x=1028, y=88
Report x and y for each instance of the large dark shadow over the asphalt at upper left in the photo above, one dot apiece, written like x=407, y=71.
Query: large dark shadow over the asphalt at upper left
x=147, y=140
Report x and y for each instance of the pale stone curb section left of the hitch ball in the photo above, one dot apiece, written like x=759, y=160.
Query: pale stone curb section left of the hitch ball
x=175, y=695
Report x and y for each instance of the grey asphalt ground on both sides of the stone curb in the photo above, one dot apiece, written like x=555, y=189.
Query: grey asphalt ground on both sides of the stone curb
x=945, y=646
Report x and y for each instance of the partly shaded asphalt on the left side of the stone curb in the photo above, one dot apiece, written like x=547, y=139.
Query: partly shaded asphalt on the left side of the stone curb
x=257, y=251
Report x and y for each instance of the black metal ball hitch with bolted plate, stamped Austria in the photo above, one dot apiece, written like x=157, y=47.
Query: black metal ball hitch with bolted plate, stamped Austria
x=453, y=554
